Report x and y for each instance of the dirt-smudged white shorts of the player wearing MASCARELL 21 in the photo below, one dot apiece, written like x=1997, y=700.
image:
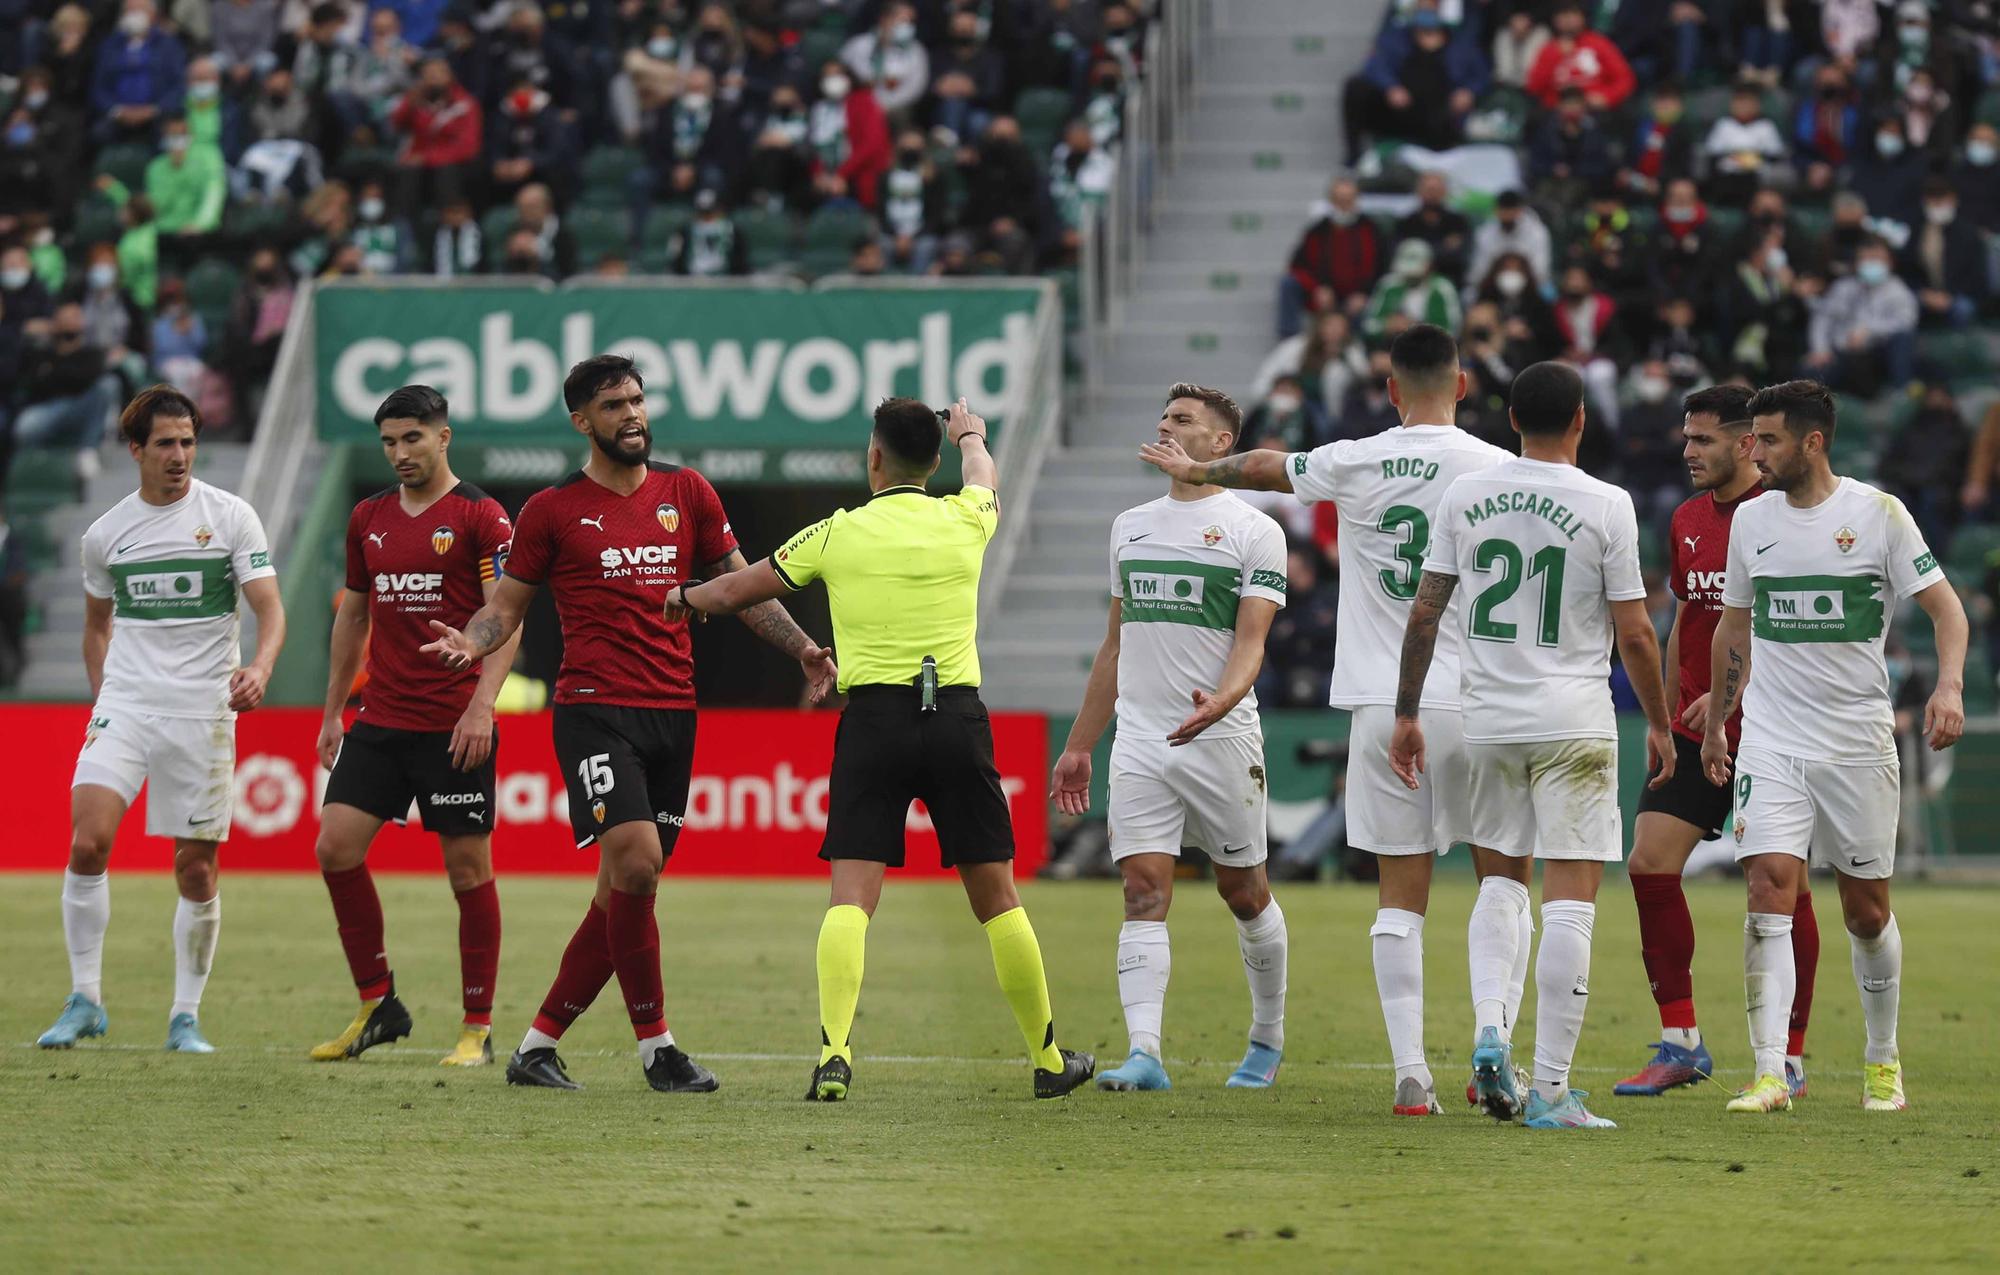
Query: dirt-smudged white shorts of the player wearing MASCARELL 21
x=1547, y=800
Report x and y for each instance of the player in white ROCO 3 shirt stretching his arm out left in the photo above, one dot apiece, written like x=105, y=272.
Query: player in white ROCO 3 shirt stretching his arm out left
x=1387, y=491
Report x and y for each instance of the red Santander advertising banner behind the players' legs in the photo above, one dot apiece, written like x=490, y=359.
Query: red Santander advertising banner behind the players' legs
x=757, y=804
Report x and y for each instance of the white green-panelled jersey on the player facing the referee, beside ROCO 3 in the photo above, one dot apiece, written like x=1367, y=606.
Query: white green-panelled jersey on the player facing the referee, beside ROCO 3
x=1179, y=571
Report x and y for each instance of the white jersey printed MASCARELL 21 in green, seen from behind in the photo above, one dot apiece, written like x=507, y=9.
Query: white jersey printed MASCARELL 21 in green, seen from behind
x=1541, y=553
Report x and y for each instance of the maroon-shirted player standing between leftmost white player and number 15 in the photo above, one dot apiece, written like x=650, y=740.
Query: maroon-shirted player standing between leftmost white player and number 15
x=429, y=549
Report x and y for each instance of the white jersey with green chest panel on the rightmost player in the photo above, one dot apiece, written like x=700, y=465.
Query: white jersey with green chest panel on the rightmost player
x=1819, y=587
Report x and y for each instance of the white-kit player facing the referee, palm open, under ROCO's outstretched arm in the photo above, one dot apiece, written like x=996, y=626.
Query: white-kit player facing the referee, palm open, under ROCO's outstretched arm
x=1197, y=581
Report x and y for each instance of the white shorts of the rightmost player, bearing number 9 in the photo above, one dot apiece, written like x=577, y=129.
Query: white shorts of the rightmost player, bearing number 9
x=1835, y=816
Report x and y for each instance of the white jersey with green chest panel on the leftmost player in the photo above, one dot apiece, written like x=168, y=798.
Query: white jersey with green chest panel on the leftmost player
x=173, y=575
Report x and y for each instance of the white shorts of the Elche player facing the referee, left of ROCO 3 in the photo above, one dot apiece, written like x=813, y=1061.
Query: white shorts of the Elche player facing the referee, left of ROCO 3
x=1207, y=794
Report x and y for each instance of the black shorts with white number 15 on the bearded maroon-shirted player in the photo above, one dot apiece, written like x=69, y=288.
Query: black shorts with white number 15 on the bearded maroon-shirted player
x=623, y=766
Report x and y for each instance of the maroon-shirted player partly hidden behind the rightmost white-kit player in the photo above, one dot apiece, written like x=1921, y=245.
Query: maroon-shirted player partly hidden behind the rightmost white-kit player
x=1689, y=808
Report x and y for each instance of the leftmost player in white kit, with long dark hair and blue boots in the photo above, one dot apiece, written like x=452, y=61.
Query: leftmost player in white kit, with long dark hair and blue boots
x=163, y=579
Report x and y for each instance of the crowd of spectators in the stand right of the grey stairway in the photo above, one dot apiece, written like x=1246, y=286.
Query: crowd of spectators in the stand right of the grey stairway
x=1697, y=193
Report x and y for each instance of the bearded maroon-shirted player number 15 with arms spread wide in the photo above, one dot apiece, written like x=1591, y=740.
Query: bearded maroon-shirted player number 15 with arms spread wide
x=613, y=541
